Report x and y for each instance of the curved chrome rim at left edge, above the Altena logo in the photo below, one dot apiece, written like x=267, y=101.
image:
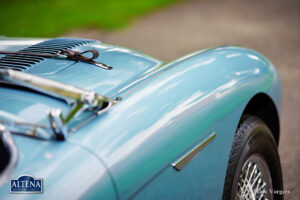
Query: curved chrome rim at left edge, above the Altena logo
x=6, y=138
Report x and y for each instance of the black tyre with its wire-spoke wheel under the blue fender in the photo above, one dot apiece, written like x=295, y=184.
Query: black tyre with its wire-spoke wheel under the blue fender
x=253, y=159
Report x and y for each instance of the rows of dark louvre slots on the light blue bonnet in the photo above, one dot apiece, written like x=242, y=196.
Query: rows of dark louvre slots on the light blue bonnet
x=23, y=62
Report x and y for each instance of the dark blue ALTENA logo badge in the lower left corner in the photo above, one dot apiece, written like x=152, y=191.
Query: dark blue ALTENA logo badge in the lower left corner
x=26, y=184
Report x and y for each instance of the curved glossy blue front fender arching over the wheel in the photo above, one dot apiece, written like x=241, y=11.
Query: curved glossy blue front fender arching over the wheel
x=172, y=110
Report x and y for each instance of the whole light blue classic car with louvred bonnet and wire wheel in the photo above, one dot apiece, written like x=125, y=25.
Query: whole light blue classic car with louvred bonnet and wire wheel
x=80, y=119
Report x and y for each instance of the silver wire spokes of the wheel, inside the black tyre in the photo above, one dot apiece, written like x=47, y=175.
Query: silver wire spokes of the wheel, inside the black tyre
x=255, y=180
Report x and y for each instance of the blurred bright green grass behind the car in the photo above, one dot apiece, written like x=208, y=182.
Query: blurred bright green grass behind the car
x=41, y=18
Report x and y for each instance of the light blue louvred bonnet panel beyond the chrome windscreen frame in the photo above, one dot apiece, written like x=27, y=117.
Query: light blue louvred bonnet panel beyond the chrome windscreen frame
x=128, y=65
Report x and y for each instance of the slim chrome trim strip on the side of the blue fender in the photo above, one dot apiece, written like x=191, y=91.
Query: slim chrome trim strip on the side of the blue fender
x=188, y=156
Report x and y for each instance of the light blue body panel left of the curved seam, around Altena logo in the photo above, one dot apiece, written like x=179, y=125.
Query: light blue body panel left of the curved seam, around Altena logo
x=68, y=171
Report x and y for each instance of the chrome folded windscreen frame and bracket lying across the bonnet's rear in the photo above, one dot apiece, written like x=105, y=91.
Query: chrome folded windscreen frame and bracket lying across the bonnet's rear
x=82, y=100
